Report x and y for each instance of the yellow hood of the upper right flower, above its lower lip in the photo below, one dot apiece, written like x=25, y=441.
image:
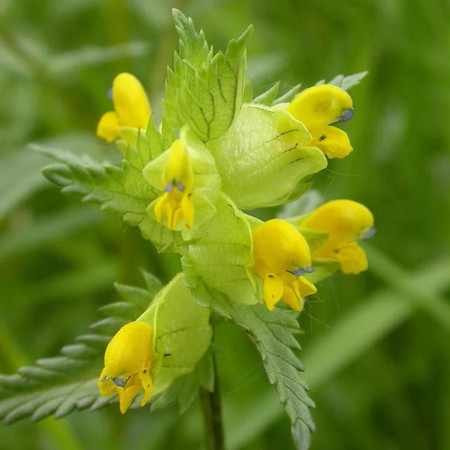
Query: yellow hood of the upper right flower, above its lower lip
x=319, y=106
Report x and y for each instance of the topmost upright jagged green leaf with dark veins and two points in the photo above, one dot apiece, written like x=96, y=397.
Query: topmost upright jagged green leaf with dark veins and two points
x=204, y=91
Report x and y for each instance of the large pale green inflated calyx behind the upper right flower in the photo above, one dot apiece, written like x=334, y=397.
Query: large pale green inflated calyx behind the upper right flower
x=263, y=157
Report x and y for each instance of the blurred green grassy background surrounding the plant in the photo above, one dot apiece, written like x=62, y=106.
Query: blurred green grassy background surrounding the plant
x=376, y=347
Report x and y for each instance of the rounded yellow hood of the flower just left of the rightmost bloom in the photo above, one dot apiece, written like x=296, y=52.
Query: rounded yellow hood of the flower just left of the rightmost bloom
x=278, y=246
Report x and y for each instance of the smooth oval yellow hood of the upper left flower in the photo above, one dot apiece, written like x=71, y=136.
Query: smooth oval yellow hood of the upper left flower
x=130, y=102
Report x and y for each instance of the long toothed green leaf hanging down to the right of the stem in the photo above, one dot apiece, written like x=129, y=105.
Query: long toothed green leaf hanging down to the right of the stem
x=272, y=333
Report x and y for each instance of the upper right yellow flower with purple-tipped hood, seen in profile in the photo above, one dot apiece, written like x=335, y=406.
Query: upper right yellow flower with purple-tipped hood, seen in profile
x=317, y=108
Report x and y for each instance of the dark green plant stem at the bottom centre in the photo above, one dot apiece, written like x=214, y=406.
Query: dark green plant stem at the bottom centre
x=212, y=413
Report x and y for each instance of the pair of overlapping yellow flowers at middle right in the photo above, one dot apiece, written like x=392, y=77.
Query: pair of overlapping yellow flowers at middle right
x=281, y=254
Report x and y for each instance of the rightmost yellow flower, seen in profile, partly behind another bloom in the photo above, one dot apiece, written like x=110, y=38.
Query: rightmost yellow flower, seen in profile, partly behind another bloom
x=345, y=221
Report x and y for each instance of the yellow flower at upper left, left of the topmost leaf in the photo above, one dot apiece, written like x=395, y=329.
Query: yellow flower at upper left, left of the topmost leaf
x=132, y=108
